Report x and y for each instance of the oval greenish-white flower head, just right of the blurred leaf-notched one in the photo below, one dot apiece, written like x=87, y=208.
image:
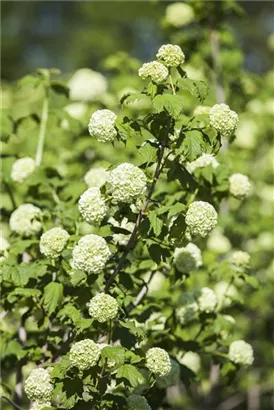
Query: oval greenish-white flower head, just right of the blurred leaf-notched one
x=53, y=242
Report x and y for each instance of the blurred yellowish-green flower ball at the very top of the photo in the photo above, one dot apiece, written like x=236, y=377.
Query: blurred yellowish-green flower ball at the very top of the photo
x=179, y=14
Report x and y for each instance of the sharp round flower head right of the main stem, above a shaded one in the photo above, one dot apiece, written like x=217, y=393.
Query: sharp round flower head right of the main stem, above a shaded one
x=201, y=218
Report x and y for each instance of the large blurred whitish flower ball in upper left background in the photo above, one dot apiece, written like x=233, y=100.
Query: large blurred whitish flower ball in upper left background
x=87, y=85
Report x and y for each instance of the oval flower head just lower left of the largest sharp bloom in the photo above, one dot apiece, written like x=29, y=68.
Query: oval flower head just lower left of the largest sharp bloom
x=92, y=206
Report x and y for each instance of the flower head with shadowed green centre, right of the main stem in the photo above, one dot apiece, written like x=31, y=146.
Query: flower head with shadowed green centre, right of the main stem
x=188, y=258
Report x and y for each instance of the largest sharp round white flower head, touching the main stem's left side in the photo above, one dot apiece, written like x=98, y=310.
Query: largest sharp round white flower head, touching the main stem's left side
x=128, y=183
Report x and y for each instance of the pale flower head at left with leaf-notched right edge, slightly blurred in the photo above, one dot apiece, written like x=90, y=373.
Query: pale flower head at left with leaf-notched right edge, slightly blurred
x=24, y=221
